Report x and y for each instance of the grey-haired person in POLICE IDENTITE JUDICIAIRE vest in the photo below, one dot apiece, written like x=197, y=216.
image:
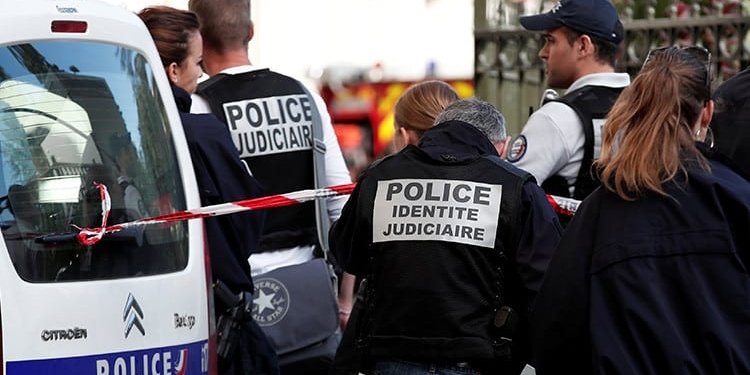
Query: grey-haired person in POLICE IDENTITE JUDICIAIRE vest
x=453, y=242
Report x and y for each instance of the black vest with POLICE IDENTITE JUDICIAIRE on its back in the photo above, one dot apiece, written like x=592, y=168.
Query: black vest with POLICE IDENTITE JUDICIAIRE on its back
x=439, y=285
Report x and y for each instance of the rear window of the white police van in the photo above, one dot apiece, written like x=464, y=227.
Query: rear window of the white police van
x=73, y=114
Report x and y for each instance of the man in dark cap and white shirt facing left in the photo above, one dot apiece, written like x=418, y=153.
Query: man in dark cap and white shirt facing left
x=562, y=138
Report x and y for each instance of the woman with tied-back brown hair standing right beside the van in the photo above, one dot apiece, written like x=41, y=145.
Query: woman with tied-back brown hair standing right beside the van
x=242, y=348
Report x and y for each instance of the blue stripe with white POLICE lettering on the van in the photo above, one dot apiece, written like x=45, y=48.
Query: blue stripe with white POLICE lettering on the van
x=176, y=360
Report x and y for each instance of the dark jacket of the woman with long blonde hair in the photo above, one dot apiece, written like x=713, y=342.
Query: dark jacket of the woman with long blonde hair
x=651, y=286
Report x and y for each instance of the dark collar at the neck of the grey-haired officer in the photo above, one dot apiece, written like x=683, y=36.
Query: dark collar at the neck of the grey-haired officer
x=455, y=141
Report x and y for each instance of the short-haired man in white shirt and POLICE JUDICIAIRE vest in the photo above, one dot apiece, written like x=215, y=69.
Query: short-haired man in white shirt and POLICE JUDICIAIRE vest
x=271, y=120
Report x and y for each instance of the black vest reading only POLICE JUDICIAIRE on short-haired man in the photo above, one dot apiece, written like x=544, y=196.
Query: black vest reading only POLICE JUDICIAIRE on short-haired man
x=270, y=119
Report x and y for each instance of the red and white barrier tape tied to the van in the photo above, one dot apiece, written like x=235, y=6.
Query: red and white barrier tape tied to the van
x=90, y=236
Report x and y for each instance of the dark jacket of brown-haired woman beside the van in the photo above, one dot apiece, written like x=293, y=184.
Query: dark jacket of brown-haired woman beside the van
x=222, y=178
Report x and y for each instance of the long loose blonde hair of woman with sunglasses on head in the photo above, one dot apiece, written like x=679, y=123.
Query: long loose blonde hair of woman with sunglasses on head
x=649, y=130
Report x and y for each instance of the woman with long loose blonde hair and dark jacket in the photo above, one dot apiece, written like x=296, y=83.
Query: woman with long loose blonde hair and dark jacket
x=651, y=276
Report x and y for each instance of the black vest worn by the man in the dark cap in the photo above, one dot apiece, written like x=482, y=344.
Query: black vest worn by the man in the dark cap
x=589, y=103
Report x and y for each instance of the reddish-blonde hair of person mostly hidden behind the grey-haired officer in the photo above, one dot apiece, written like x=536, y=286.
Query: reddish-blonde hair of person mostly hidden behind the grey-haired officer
x=421, y=103
